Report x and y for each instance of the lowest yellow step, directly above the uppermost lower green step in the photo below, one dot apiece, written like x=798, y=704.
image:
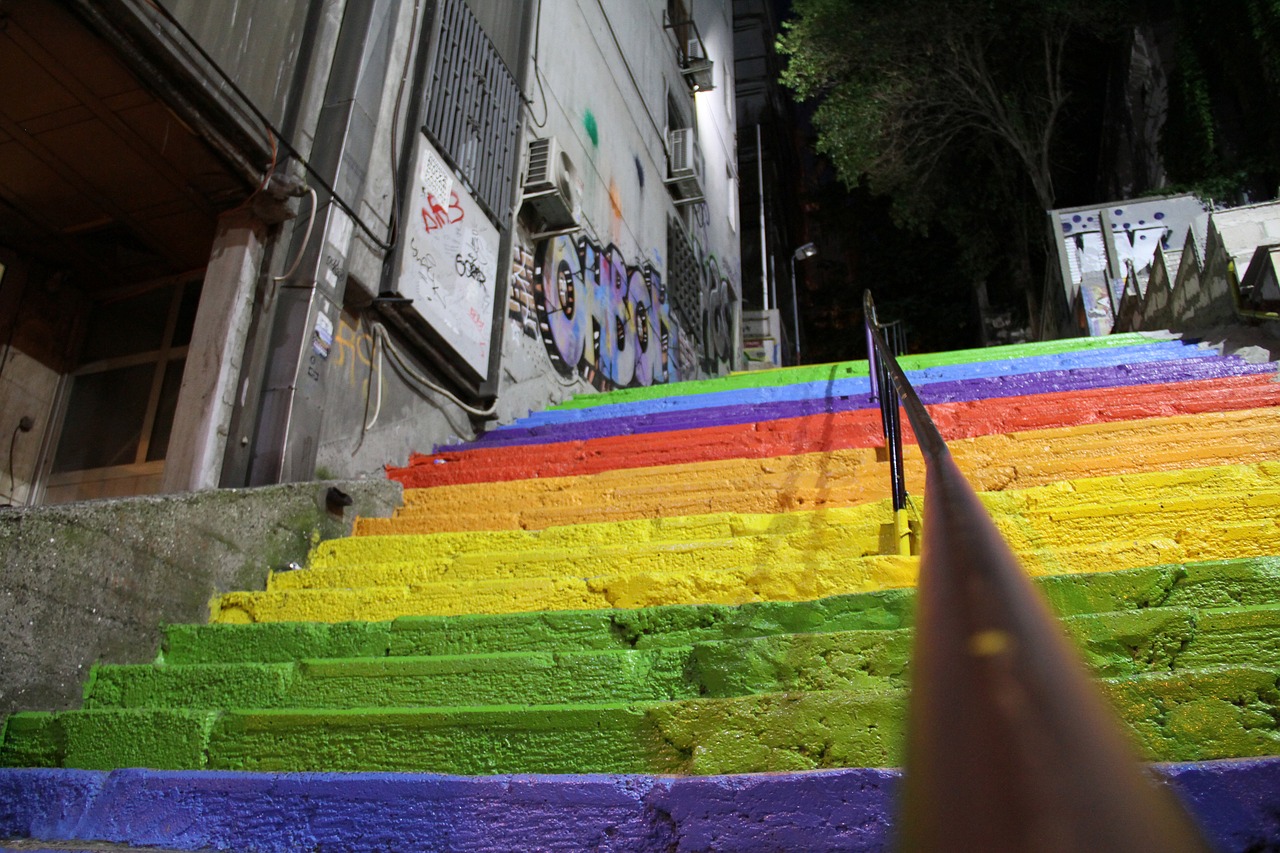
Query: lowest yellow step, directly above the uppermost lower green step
x=788, y=574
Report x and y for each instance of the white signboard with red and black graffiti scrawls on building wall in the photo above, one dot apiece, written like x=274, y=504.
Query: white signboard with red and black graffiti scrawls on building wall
x=450, y=261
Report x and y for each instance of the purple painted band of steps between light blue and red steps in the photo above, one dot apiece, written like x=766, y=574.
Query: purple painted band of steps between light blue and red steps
x=938, y=393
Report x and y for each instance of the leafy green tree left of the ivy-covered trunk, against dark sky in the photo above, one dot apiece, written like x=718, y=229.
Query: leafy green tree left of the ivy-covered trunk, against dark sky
x=953, y=111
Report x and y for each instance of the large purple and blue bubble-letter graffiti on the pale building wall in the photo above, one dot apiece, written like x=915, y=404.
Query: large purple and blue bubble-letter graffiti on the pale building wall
x=604, y=318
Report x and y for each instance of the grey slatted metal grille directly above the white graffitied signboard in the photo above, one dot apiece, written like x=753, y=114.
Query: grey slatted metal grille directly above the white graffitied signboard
x=473, y=110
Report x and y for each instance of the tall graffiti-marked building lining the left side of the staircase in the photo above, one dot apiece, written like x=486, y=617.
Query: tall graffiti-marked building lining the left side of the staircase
x=273, y=240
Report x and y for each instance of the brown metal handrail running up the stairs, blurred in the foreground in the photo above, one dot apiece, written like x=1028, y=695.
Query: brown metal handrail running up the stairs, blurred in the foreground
x=1011, y=745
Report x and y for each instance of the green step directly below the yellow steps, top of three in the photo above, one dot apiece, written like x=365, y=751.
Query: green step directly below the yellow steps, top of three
x=1226, y=583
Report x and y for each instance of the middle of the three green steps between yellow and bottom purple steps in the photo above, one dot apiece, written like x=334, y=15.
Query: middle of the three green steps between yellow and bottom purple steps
x=1158, y=640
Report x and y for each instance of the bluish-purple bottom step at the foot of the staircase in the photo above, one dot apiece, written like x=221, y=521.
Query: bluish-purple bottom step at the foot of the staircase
x=839, y=810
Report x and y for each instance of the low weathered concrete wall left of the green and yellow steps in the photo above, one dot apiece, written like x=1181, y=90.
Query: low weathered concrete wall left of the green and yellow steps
x=89, y=582
